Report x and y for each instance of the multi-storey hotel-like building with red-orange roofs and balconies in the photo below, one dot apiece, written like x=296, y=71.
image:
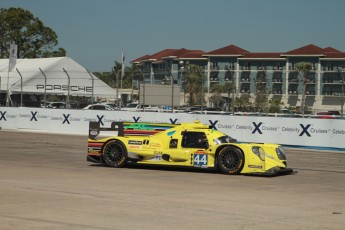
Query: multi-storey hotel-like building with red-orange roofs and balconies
x=275, y=70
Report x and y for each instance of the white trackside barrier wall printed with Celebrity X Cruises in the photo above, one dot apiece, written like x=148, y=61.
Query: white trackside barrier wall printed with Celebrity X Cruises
x=308, y=132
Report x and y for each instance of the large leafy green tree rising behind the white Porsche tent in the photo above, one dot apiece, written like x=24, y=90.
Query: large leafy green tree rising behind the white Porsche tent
x=32, y=37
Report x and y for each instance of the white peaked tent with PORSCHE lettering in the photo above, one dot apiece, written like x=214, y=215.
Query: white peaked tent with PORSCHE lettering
x=61, y=76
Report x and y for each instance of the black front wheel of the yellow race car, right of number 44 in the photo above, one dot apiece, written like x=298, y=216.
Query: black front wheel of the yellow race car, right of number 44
x=230, y=160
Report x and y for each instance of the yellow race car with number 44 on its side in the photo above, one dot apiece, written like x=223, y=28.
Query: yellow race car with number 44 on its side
x=185, y=144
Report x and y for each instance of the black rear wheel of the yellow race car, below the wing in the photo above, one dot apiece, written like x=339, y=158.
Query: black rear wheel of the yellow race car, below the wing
x=114, y=154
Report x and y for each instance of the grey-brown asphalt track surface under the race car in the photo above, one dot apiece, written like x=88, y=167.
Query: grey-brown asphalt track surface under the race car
x=46, y=183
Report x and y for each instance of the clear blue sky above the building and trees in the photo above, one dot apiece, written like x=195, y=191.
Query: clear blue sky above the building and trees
x=95, y=33
